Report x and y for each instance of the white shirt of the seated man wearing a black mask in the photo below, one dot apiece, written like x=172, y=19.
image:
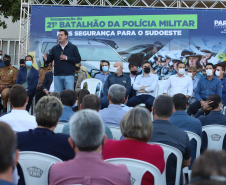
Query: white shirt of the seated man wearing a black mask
x=151, y=81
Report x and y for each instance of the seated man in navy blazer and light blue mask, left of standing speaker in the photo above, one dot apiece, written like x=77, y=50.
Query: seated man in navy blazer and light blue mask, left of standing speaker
x=28, y=77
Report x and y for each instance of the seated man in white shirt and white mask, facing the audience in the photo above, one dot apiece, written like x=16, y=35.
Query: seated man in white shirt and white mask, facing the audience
x=179, y=83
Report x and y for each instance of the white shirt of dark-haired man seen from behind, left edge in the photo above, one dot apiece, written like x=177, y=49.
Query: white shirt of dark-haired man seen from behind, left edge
x=19, y=120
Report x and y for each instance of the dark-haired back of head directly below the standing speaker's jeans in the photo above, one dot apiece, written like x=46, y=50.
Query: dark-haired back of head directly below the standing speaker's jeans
x=68, y=97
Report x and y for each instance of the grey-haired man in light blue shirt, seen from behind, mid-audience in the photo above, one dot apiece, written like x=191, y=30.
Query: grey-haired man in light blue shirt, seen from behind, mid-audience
x=112, y=115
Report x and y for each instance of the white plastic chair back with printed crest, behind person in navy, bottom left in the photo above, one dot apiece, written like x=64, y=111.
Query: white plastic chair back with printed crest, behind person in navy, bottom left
x=36, y=166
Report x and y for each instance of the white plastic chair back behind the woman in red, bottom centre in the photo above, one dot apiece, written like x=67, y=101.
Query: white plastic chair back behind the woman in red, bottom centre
x=137, y=169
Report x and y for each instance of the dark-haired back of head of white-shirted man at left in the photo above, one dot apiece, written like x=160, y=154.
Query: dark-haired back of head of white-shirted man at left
x=17, y=96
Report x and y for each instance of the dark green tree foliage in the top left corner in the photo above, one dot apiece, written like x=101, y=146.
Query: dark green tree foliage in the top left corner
x=9, y=8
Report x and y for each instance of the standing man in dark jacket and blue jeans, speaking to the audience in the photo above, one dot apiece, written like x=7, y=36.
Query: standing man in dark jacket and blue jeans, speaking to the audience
x=65, y=56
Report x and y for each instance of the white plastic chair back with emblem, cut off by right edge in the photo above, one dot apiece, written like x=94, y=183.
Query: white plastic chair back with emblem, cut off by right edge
x=215, y=136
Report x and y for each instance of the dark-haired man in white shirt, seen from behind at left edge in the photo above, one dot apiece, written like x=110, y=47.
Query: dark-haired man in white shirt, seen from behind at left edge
x=19, y=119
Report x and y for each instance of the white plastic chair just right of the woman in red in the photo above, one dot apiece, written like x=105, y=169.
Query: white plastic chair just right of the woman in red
x=167, y=151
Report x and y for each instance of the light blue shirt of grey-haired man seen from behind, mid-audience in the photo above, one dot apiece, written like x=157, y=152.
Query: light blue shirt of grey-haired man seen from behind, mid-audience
x=112, y=115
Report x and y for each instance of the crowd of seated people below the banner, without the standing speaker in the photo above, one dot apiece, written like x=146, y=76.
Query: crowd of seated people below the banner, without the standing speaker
x=190, y=101
